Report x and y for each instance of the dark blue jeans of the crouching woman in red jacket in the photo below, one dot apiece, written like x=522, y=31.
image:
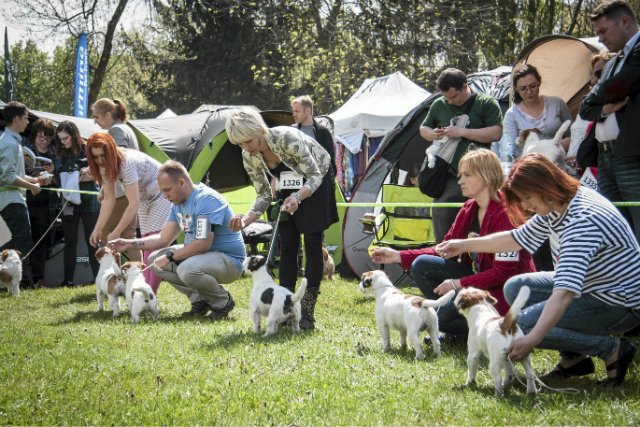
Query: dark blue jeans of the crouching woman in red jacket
x=428, y=272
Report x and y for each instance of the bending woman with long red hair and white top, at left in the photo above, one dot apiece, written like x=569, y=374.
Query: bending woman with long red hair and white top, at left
x=139, y=174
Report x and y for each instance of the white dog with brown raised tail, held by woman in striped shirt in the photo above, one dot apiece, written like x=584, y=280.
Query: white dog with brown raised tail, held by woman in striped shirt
x=491, y=335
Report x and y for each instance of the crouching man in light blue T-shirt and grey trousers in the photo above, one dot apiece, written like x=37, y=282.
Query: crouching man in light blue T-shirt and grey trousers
x=211, y=255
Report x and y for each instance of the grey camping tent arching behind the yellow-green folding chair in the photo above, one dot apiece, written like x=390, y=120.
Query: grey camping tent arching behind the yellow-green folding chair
x=400, y=149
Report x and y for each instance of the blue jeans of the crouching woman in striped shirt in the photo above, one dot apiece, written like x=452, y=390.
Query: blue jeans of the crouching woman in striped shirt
x=585, y=328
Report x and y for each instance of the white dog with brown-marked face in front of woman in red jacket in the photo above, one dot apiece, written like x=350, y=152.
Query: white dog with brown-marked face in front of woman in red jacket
x=408, y=314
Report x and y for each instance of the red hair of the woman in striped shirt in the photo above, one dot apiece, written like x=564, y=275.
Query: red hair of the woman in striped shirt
x=536, y=175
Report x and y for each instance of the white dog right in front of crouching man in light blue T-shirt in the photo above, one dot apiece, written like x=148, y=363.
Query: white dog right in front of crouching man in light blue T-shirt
x=140, y=297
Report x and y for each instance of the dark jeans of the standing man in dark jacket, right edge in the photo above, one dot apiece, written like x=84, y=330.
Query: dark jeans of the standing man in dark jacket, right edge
x=619, y=181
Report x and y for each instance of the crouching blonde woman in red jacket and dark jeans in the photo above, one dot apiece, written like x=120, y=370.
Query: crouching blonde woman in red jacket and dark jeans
x=481, y=177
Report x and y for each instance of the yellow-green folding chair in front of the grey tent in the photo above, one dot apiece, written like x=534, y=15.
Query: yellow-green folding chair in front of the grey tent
x=403, y=227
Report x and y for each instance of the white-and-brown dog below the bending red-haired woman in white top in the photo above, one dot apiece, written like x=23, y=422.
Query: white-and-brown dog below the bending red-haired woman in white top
x=109, y=281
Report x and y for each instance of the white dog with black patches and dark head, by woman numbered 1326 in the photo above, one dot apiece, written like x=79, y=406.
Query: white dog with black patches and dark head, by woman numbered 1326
x=276, y=303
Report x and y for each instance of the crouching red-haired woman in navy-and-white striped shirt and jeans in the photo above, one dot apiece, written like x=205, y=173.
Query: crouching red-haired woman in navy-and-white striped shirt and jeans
x=593, y=294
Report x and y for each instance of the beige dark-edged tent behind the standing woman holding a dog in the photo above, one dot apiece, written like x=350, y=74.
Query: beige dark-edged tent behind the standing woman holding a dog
x=564, y=65
